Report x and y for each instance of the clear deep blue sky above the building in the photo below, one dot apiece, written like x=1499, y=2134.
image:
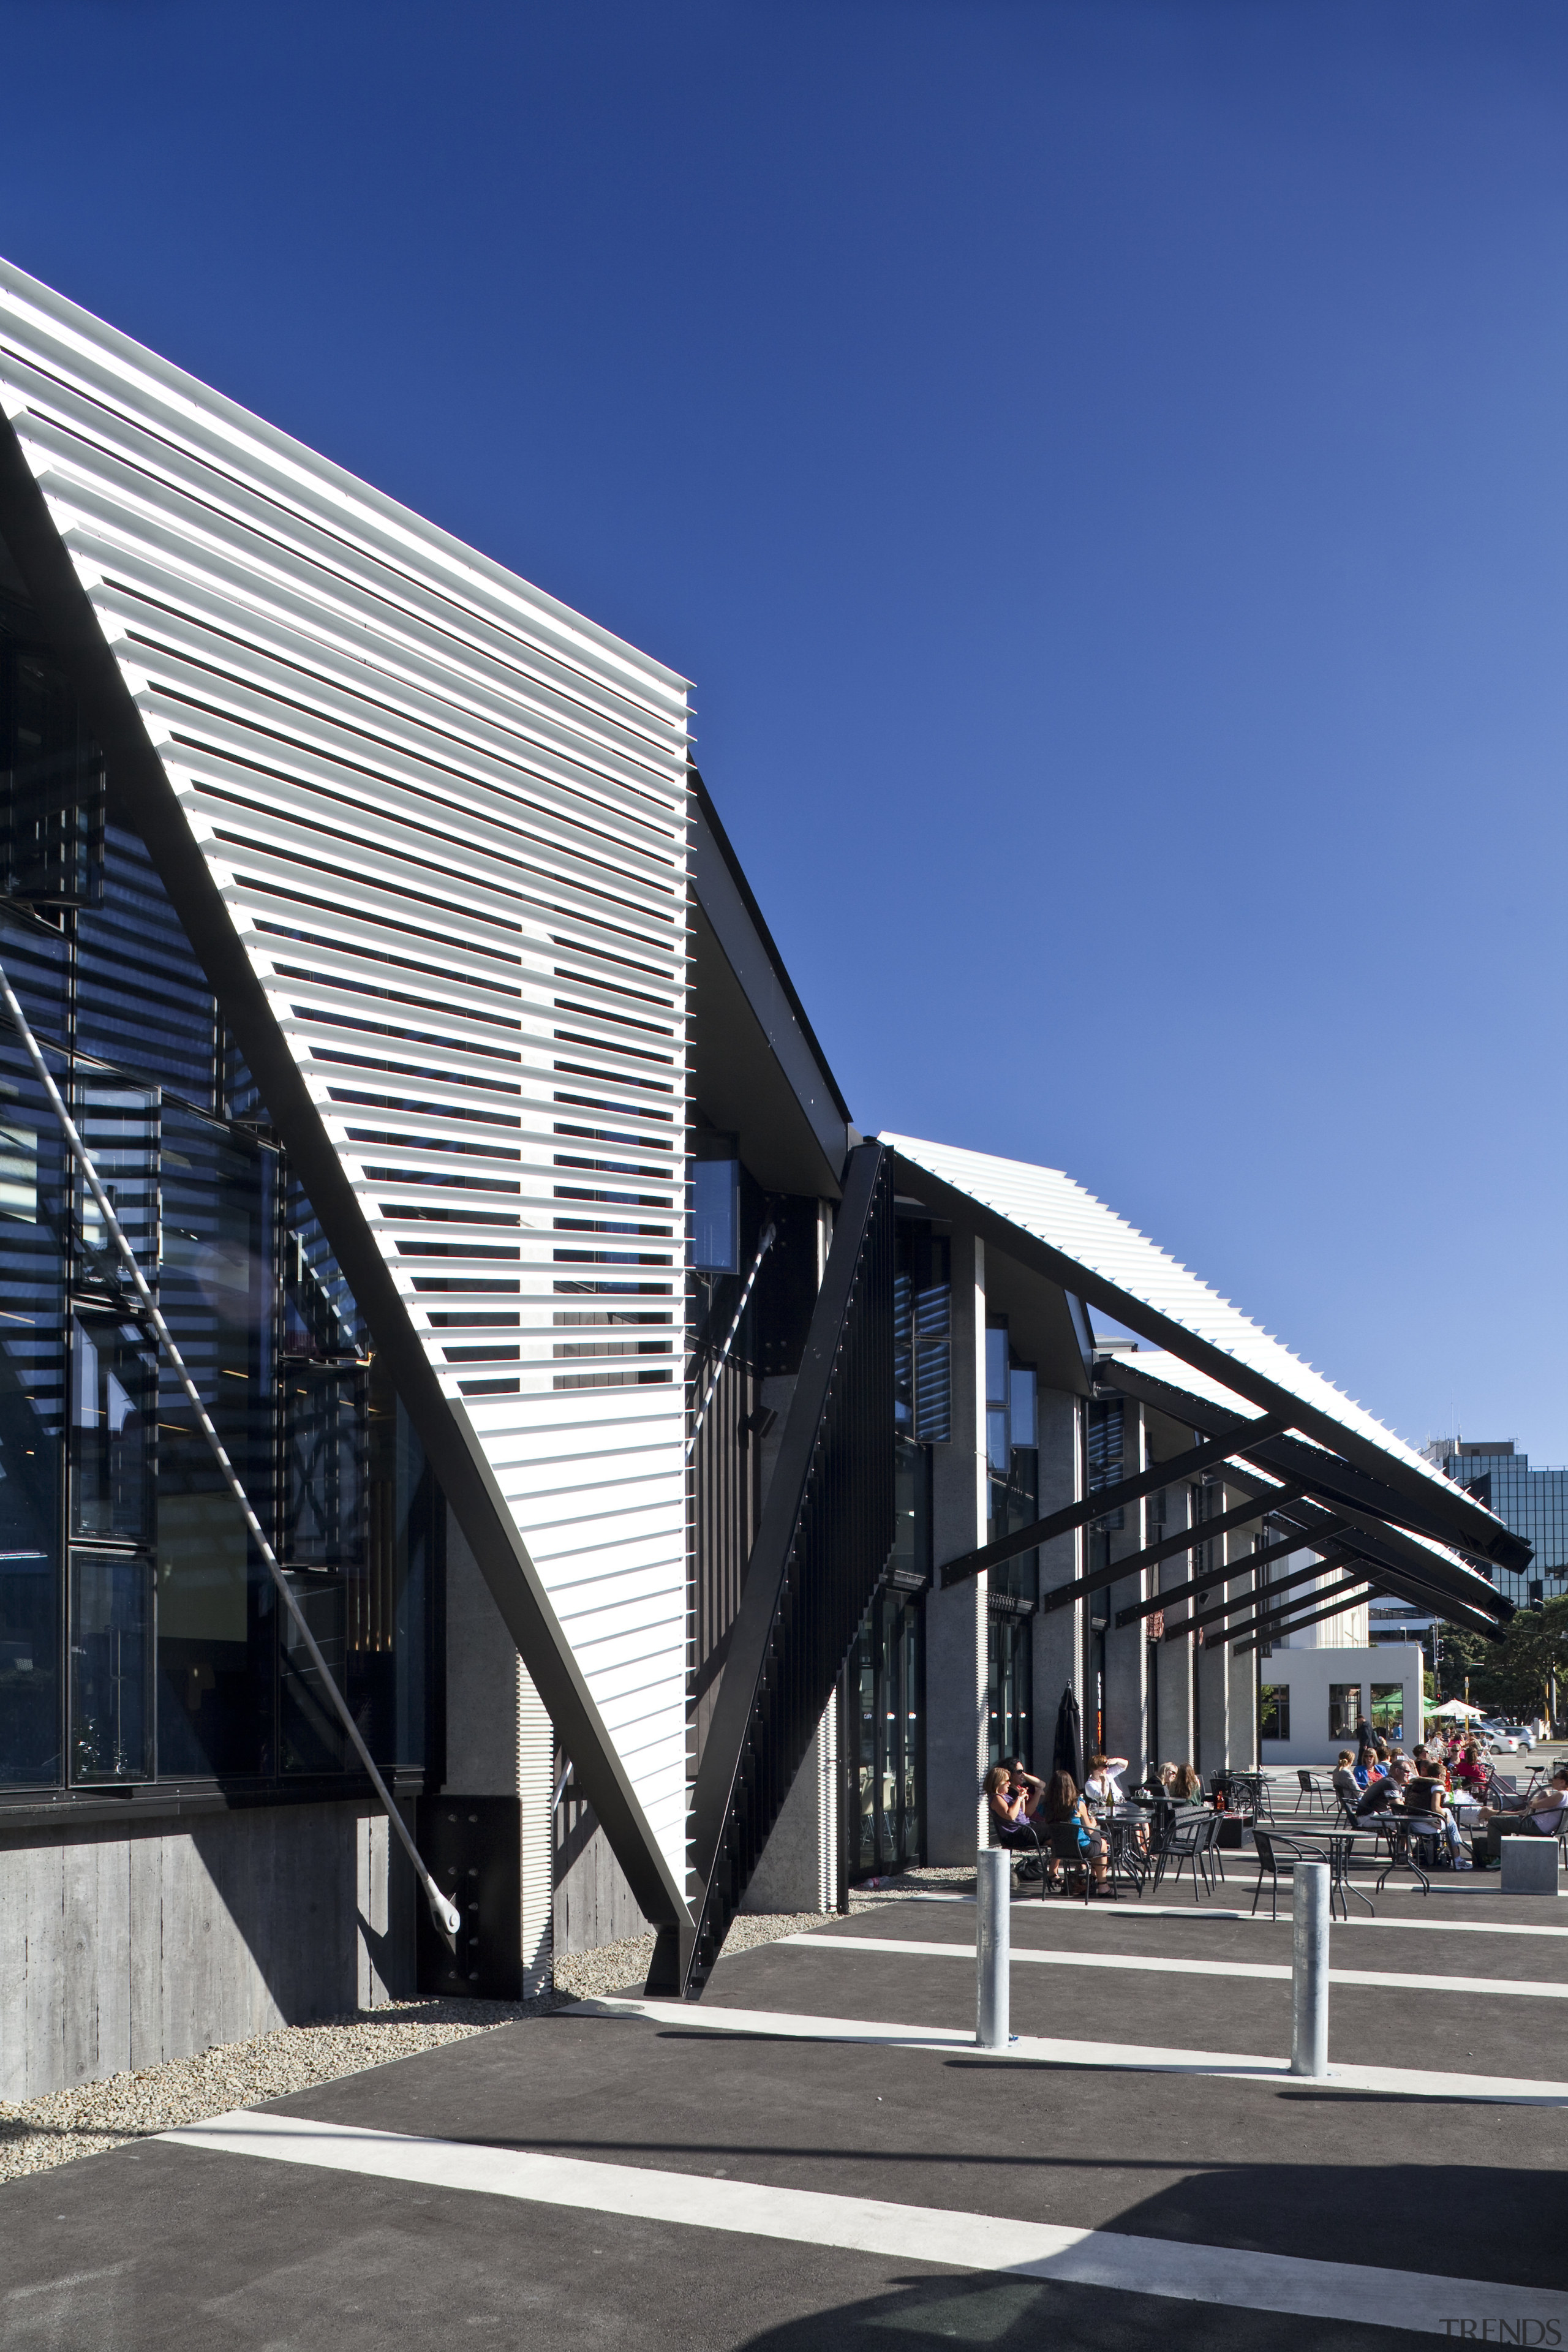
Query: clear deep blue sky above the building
x=1106, y=474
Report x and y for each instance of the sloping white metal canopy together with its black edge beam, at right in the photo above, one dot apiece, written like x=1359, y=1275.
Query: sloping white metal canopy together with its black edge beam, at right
x=1106, y=1262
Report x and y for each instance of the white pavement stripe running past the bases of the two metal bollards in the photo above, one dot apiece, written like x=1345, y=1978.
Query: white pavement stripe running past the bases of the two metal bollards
x=1043, y=2050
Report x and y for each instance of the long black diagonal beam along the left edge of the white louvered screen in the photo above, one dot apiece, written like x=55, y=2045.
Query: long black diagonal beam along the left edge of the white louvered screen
x=142, y=791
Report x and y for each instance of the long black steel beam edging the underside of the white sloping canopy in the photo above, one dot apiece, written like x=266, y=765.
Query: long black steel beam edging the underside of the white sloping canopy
x=1409, y=1495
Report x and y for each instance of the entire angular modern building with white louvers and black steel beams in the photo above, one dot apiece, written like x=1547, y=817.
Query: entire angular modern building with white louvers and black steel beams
x=688, y=1495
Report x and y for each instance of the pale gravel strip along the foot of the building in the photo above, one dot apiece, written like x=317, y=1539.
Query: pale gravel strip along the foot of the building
x=98, y=2116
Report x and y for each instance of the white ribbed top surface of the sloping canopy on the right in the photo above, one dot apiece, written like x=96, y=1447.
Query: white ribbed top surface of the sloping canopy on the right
x=1111, y=1252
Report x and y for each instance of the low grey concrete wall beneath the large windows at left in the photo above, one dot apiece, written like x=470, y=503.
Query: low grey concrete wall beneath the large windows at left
x=121, y=1951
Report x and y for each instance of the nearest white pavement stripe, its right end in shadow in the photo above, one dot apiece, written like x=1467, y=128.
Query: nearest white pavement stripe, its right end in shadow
x=934, y=2236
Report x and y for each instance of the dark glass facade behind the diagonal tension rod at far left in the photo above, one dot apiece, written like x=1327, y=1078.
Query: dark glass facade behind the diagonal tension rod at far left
x=140, y=1633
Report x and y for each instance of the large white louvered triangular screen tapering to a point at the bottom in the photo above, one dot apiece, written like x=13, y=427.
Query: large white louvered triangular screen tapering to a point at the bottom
x=450, y=822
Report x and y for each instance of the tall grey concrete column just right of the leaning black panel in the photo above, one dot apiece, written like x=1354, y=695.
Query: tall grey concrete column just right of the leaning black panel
x=956, y=1622
